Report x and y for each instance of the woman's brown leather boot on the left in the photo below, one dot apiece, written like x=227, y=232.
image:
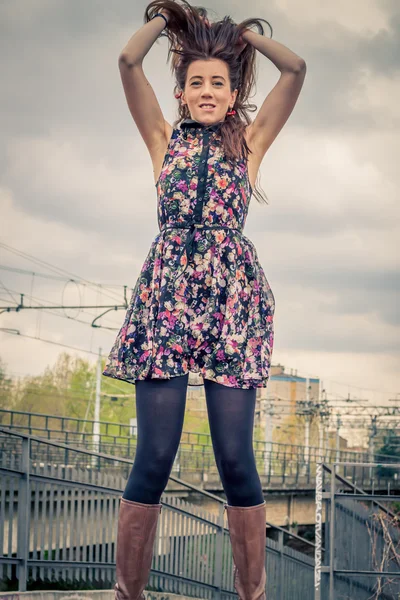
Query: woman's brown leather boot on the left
x=137, y=527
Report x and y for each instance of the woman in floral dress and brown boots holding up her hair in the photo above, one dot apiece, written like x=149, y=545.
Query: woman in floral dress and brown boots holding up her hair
x=202, y=302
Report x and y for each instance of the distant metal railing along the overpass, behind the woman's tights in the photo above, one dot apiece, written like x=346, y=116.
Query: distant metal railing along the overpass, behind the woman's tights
x=278, y=464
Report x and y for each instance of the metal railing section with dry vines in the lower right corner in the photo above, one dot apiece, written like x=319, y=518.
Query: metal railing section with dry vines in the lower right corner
x=362, y=537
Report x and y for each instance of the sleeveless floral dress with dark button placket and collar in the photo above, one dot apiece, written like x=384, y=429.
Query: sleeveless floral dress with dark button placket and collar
x=202, y=302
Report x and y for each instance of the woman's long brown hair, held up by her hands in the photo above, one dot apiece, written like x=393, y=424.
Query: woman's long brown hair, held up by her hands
x=192, y=37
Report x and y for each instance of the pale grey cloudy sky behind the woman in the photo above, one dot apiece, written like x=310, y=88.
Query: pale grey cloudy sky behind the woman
x=77, y=191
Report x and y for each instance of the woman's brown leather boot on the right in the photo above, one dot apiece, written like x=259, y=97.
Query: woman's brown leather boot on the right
x=247, y=532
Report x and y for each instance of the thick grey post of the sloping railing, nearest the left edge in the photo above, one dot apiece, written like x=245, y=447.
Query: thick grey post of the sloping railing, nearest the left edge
x=24, y=507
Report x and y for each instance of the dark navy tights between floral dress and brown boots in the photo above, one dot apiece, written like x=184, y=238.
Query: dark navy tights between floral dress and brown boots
x=160, y=411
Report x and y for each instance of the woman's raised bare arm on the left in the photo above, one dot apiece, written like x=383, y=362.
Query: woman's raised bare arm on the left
x=140, y=96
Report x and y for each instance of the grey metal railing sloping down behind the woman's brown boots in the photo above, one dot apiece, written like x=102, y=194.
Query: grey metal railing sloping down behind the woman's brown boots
x=59, y=521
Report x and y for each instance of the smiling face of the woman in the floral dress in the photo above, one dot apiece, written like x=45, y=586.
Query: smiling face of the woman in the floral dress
x=207, y=82
